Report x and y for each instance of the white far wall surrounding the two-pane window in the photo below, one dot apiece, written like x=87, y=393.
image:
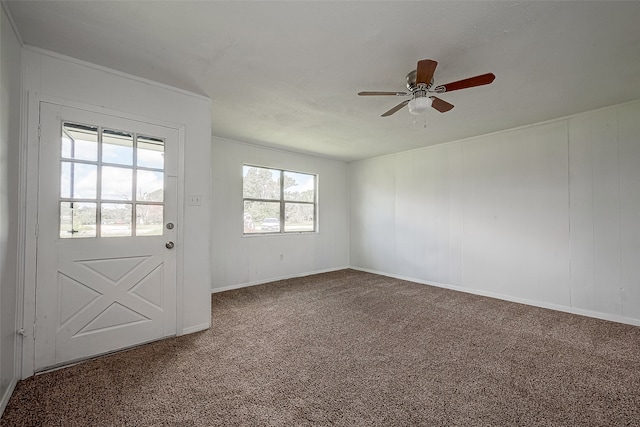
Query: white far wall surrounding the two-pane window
x=241, y=261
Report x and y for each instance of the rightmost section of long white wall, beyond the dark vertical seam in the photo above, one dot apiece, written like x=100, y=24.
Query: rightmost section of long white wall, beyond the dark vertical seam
x=605, y=211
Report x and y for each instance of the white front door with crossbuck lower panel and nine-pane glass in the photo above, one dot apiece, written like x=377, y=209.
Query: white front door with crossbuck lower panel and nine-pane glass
x=107, y=210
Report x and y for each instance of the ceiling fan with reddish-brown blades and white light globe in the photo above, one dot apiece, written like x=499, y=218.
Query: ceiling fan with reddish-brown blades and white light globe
x=419, y=82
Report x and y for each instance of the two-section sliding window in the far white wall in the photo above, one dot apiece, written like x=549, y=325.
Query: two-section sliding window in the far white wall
x=278, y=201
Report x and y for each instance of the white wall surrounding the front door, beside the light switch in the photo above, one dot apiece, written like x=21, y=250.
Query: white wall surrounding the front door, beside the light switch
x=53, y=77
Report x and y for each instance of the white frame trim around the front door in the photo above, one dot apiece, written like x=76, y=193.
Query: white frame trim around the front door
x=27, y=261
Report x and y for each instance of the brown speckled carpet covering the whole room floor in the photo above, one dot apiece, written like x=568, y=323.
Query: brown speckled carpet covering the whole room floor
x=355, y=349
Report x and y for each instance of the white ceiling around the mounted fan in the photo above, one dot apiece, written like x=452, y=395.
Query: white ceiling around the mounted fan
x=286, y=74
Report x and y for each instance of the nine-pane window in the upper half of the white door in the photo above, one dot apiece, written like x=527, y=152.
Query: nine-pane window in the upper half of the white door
x=111, y=183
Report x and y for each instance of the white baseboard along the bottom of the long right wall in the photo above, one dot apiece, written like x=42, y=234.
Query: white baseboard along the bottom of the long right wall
x=541, y=304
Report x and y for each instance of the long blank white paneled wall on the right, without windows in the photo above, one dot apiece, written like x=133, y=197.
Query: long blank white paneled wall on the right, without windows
x=546, y=215
